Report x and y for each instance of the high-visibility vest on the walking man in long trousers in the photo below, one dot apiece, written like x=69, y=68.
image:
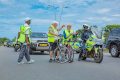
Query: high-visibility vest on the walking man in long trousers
x=23, y=30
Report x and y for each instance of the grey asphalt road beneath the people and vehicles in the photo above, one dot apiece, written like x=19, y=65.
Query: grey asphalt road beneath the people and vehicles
x=109, y=69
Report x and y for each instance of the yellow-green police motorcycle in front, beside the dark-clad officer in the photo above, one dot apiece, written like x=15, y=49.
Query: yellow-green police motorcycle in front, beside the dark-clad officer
x=93, y=49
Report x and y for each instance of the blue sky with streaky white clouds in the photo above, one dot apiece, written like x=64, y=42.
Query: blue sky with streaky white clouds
x=44, y=12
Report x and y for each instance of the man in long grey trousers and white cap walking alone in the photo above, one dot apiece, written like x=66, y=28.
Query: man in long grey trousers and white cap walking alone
x=24, y=39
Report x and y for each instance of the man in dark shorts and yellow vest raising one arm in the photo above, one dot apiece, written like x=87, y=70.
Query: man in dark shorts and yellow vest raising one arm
x=52, y=37
